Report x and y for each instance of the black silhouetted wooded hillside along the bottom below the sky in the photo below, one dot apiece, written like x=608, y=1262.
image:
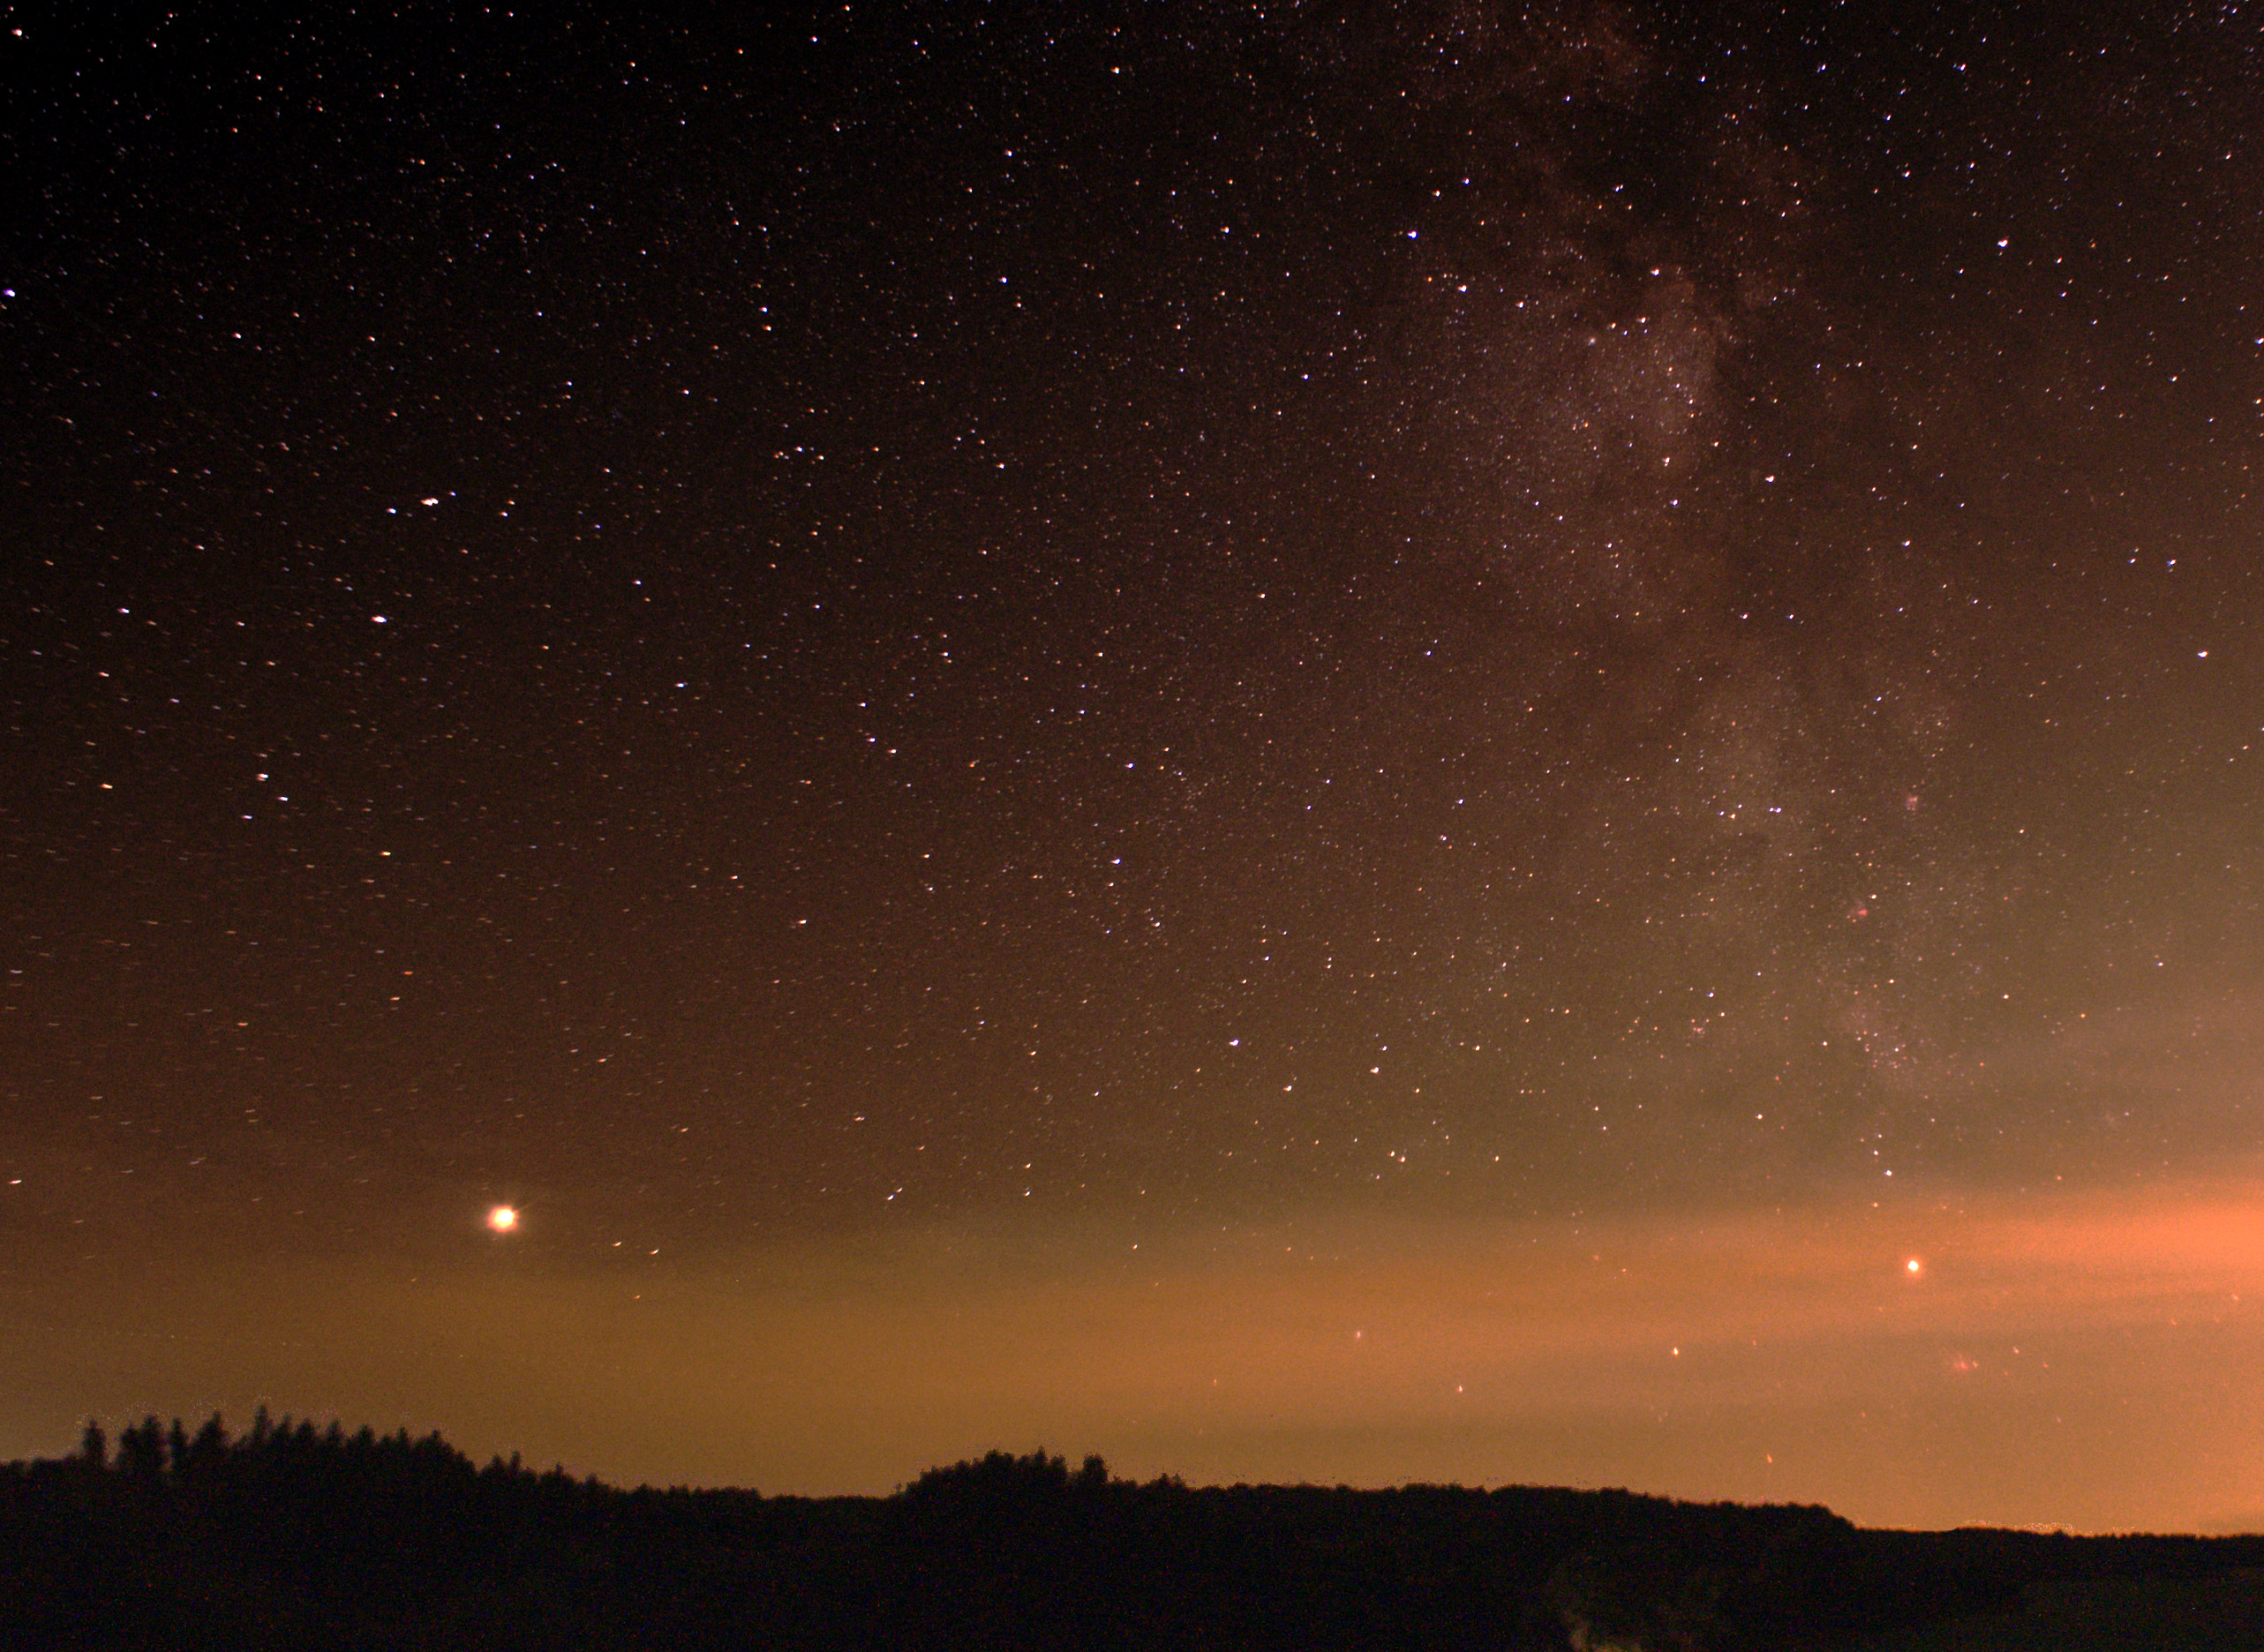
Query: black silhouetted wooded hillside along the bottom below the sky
x=300, y=1538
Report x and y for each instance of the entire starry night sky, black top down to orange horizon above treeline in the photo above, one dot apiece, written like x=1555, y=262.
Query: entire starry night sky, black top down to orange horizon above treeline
x=1339, y=743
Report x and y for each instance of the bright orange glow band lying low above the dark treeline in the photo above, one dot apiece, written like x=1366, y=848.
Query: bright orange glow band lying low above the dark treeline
x=2057, y=1359
